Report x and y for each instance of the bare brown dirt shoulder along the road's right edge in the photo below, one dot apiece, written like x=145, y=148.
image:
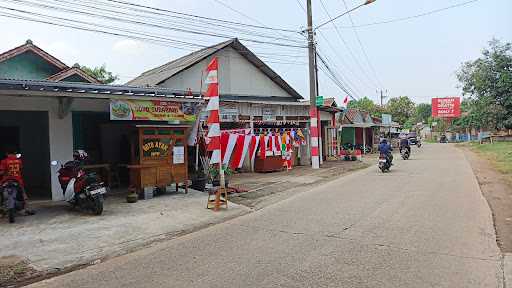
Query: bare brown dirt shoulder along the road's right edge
x=497, y=189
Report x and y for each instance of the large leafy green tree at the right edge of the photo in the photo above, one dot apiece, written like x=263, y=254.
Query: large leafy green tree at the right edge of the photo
x=487, y=83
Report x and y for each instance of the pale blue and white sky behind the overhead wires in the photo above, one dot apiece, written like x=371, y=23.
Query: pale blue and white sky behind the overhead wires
x=416, y=58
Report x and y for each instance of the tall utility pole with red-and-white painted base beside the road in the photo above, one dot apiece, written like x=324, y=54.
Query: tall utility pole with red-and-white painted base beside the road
x=313, y=111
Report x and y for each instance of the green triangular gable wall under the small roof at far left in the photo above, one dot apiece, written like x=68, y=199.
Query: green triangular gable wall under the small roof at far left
x=27, y=66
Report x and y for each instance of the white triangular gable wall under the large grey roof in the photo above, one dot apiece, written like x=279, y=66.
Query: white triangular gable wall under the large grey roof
x=237, y=76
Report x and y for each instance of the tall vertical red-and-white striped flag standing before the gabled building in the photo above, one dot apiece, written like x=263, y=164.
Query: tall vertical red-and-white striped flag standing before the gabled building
x=212, y=93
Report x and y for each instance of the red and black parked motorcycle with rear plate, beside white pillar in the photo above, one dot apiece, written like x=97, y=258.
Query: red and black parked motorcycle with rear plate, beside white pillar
x=81, y=189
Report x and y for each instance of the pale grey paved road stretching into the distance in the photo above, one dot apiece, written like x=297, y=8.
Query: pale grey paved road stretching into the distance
x=424, y=224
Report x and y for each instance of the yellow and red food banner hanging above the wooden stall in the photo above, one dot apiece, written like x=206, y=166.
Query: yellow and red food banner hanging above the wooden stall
x=153, y=110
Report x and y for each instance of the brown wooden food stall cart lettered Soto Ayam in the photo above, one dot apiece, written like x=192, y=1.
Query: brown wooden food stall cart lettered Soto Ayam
x=158, y=157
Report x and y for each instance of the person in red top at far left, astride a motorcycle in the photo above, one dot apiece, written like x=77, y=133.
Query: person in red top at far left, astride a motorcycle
x=10, y=167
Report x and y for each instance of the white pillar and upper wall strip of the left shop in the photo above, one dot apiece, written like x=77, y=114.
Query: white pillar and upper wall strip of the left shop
x=60, y=130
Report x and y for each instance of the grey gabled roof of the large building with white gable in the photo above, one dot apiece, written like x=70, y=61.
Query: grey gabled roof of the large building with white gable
x=156, y=76
